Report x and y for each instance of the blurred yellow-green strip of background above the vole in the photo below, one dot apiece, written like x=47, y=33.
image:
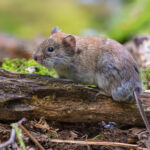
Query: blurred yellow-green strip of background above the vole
x=117, y=19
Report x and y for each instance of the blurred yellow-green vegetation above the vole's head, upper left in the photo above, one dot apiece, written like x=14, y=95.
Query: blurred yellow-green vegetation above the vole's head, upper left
x=29, y=18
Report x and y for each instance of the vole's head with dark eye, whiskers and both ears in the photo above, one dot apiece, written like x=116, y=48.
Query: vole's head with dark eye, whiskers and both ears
x=57, y=51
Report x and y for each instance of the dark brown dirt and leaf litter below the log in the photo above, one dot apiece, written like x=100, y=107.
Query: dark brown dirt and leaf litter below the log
x=43, y=131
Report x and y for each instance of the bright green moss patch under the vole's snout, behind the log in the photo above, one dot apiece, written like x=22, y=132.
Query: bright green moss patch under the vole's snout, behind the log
x=21, y=65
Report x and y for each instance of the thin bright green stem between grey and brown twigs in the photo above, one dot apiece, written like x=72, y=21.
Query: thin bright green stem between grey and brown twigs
x=15, y=126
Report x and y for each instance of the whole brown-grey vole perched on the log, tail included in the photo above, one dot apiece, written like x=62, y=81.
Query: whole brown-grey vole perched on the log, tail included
x=93, y=60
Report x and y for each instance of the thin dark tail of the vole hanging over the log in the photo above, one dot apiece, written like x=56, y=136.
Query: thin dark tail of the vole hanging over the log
x=139, y=104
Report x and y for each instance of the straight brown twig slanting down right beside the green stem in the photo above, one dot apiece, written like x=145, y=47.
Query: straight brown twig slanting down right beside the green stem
x=31, y=137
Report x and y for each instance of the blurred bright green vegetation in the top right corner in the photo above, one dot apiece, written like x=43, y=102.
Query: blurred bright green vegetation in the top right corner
x=132, y=20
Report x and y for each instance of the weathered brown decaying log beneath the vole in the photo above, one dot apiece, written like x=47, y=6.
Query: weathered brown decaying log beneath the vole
x=33, y=96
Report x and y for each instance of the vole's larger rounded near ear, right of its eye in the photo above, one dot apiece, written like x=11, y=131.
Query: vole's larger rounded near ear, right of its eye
x=69, y=42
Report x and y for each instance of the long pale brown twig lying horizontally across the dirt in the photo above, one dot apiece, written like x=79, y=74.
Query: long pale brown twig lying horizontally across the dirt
x=114, y=144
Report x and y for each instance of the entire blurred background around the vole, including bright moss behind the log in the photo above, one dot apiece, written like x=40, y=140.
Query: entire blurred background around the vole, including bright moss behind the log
x=25, y=24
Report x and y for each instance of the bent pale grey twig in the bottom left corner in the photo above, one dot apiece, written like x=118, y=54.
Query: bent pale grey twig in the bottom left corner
x=10, y=141
